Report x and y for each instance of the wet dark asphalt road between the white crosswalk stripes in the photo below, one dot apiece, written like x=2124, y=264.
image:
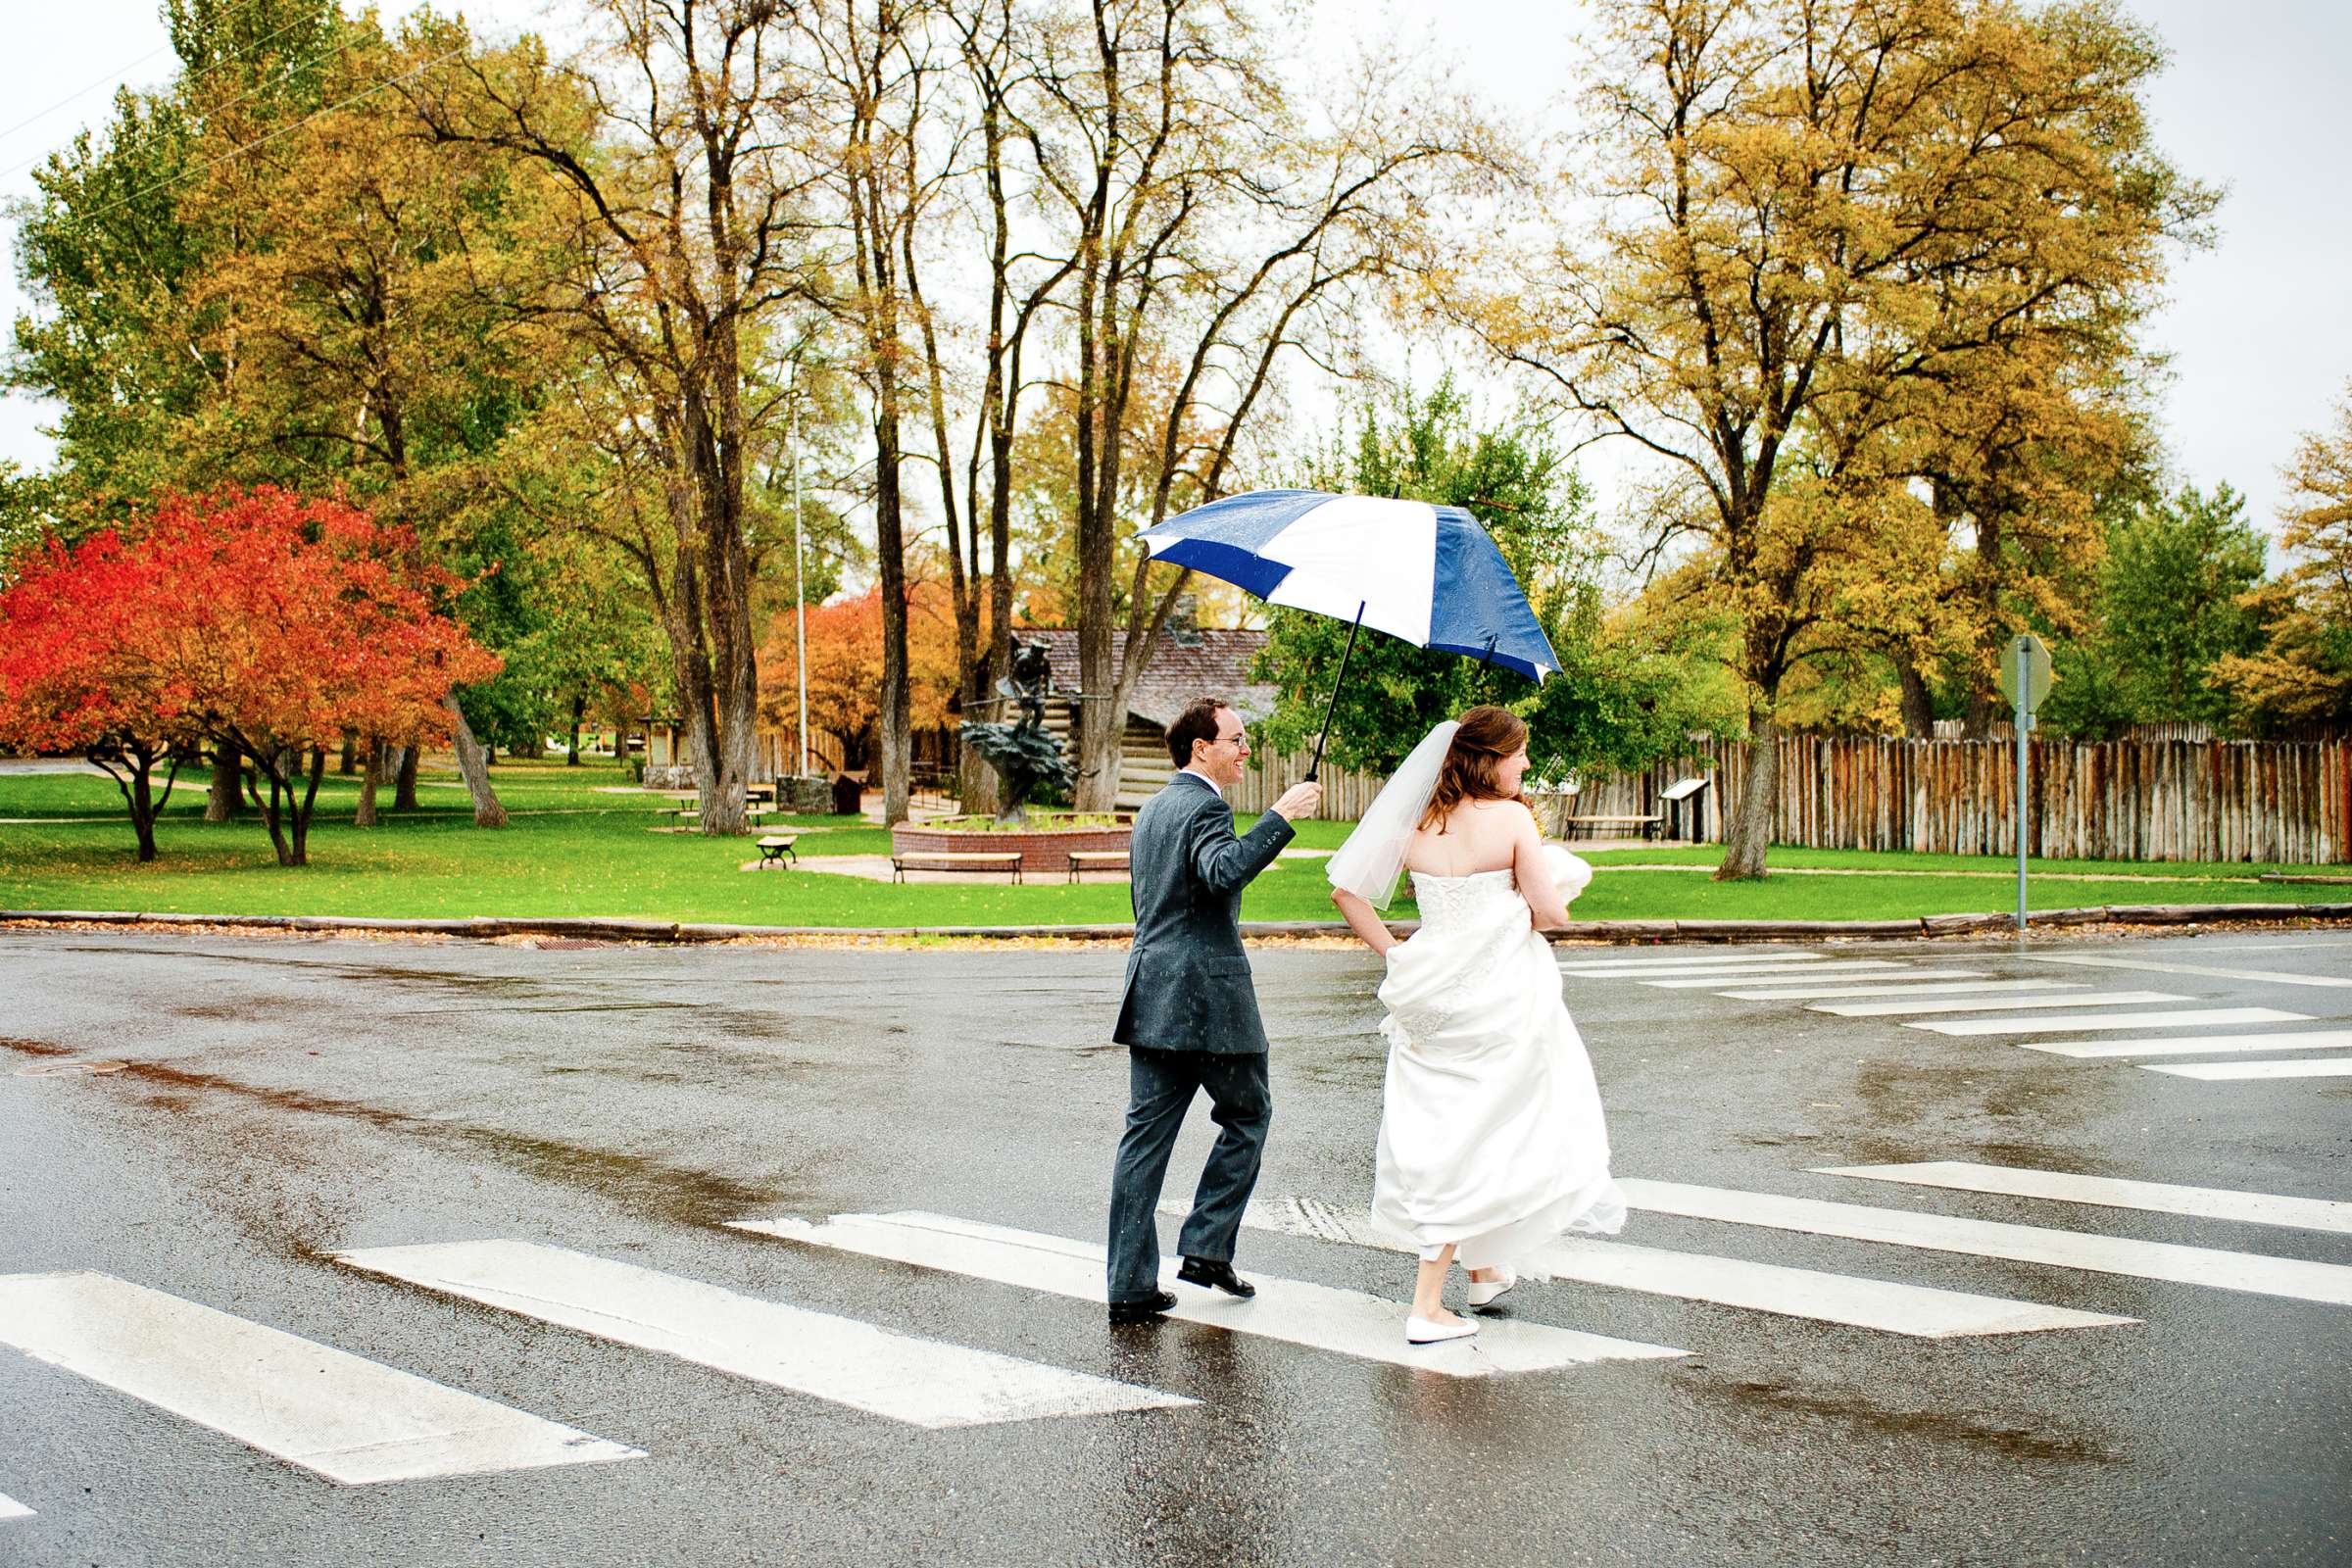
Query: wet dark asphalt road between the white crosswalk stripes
x=288, y=1099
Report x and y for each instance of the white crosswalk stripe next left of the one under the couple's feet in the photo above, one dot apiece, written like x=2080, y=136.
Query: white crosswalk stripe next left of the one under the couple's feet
x=813, y=1353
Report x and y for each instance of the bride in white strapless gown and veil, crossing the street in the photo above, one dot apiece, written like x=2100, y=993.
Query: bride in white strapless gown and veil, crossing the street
x=1492, y=1137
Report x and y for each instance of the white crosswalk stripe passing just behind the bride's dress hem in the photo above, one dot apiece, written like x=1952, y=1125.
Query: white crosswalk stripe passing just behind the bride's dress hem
x=1725, y=1282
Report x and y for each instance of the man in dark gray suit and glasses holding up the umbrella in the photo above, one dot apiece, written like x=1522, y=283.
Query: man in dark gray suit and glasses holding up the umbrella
x=1189, y=1014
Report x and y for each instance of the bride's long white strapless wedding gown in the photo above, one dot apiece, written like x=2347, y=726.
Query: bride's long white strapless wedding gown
x=1492, y=1130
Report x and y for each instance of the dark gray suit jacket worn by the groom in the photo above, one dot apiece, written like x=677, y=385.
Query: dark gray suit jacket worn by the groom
x=1187, y=977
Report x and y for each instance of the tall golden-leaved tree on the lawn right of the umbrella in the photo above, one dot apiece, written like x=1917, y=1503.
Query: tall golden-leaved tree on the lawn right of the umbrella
x=1803, y=241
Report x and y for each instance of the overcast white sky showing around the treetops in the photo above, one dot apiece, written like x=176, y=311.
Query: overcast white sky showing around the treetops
x=2259, y=328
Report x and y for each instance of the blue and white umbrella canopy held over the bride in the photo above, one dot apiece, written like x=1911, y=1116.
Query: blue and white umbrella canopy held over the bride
x=1412, y=570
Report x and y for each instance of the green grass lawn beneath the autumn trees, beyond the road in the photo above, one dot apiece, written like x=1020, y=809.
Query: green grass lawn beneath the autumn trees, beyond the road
x=575, y=850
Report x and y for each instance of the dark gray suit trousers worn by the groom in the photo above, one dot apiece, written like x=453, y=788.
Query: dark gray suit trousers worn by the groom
x=1161, y=1094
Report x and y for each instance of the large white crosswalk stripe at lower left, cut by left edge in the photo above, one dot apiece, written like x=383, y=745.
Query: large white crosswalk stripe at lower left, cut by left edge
x=335, y=1414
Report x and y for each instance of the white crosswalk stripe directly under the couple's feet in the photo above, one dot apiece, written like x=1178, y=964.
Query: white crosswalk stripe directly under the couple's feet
x=1321, y=1318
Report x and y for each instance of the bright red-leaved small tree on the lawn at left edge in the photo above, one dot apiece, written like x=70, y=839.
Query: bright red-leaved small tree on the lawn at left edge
x=258, y=617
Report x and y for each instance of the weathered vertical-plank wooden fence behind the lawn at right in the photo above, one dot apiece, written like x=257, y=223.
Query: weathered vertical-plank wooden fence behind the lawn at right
x=2125, y=800
